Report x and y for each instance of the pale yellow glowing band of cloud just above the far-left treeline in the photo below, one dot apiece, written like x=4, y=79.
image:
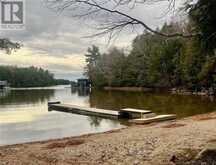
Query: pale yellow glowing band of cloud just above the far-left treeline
x=25, y=58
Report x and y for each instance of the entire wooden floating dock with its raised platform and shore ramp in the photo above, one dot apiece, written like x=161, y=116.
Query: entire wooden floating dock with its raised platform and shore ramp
x=137, y=116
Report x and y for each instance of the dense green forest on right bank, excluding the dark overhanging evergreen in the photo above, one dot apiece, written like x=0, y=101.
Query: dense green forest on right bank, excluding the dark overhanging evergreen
x=155, y=61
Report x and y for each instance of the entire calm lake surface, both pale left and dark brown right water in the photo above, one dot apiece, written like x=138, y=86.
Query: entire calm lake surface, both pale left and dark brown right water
x=24, y=114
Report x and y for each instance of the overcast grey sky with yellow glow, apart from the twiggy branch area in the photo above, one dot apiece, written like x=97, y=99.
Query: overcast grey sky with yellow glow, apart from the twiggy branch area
x=56, y=41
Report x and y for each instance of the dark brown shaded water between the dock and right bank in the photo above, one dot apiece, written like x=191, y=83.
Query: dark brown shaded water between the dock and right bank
x=161, y=103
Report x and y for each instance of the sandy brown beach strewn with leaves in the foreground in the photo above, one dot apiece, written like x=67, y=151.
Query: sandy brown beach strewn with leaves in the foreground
x=137, y=144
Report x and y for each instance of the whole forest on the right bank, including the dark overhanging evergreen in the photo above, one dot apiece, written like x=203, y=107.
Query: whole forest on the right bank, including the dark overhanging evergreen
x=158, y=61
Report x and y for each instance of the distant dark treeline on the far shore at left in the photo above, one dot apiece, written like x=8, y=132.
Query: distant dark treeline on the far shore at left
x=29, y=77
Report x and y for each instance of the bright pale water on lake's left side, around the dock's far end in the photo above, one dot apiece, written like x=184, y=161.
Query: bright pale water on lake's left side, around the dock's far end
x=24, y=116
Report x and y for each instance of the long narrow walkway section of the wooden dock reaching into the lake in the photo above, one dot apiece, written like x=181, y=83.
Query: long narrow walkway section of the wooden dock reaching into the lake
x=85, y=110
